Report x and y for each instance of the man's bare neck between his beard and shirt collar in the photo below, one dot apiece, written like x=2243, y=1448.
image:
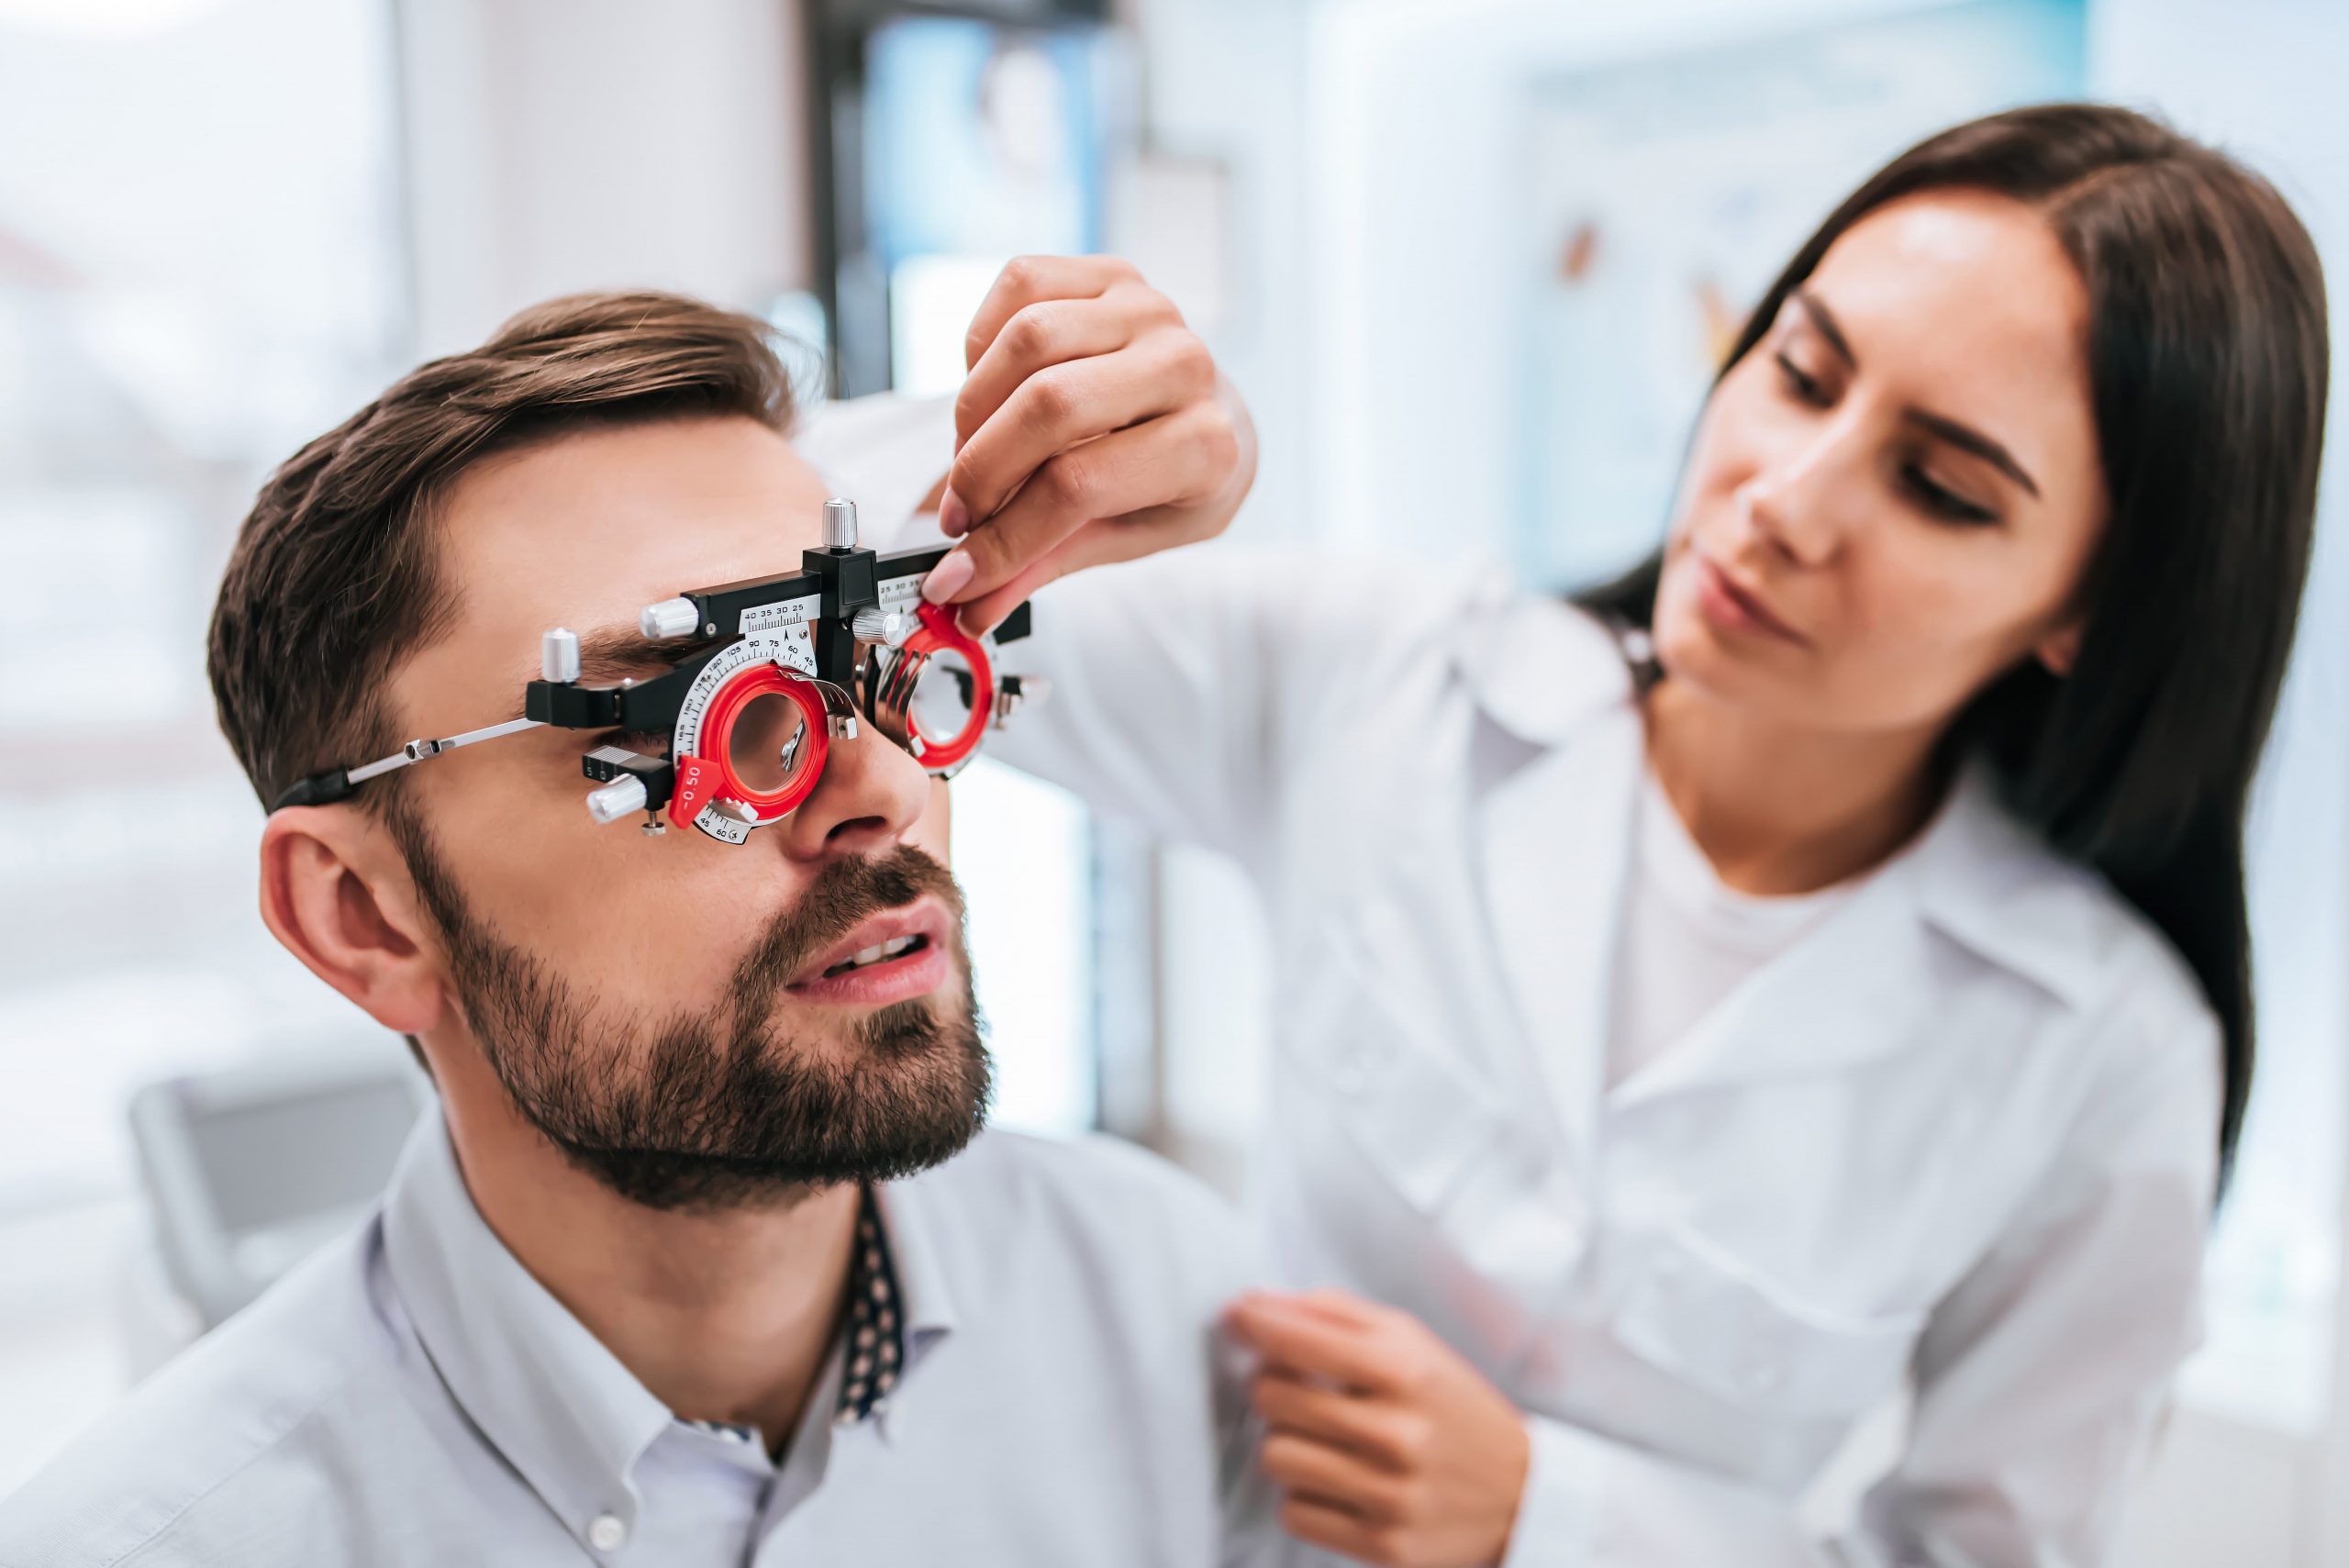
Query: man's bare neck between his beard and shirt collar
x=720, y=1316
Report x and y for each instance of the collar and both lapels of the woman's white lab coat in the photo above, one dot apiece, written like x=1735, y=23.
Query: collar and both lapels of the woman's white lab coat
x=1563, y=816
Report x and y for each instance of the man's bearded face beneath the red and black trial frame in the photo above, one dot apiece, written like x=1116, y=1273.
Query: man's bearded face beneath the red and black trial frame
x=671, y=1011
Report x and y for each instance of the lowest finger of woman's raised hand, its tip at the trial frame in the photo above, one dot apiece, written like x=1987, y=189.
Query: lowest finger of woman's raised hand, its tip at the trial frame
x=1162, y=466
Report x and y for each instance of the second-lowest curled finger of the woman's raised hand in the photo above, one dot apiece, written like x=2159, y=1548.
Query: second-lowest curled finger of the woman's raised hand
x=1070, y=405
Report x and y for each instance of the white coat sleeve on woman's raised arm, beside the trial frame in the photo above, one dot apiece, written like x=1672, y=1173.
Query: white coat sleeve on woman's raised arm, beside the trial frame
x=1187, y=684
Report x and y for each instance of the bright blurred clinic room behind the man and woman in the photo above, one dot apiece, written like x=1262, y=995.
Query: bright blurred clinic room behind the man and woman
x=1469, y=259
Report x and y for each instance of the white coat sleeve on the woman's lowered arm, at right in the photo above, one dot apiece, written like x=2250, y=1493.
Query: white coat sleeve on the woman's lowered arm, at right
x=2042, y=1379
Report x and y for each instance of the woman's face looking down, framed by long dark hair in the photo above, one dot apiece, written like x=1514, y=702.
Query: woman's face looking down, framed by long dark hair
x=1894, y=496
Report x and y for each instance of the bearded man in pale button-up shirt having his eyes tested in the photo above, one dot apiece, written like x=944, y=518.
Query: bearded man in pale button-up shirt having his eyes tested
x=704, y=1257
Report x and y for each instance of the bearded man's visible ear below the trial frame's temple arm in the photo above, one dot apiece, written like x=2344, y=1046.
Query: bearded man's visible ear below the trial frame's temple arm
x=339, y=898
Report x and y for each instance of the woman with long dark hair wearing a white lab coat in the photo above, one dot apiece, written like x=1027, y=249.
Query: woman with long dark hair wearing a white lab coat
x=1808, y=968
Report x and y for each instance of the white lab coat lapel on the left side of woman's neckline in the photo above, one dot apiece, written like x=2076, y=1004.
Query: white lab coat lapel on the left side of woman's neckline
x=1554, y=844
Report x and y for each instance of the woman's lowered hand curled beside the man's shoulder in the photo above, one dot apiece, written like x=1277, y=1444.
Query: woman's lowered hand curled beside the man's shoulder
x=1389, y=1445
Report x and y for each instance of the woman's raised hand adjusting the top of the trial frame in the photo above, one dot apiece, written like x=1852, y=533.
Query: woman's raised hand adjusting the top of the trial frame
x=1093, y=428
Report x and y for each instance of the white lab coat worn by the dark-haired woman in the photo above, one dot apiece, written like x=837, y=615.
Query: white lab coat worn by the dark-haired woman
x=1960, y=1140
